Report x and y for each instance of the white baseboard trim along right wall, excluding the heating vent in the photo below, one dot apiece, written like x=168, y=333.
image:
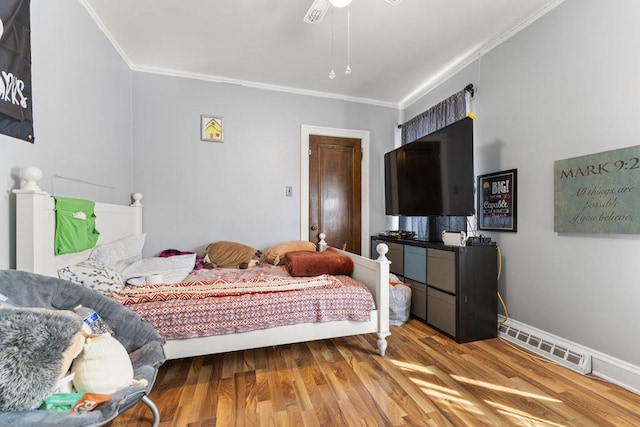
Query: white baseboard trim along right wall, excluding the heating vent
x=604, y=366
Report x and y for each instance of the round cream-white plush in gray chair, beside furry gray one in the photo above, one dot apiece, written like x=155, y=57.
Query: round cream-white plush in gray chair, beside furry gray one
x=102, y=367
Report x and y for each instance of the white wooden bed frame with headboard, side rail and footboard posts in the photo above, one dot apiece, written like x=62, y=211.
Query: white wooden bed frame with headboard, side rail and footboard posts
x=35, y=230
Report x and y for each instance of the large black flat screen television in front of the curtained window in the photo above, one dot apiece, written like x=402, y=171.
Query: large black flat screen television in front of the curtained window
x=432, y=175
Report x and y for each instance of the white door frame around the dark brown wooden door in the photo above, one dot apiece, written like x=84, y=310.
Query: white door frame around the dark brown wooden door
x=363, y=135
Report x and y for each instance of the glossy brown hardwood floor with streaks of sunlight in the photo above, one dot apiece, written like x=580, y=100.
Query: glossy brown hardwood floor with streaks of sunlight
x=425, y=379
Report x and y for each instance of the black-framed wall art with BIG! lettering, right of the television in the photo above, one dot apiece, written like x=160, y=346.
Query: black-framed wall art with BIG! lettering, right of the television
x=497, y=201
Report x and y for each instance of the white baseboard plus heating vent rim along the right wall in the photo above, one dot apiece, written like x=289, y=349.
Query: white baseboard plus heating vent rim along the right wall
x=603, y=366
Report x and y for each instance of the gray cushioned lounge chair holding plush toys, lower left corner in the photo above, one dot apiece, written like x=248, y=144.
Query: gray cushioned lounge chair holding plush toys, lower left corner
x=141, y=341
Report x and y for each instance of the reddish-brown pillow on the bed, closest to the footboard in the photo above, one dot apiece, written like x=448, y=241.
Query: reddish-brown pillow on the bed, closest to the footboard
x=305, y=263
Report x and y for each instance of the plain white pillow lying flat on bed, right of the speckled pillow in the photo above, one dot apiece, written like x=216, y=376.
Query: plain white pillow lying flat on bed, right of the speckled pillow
x=173, y=269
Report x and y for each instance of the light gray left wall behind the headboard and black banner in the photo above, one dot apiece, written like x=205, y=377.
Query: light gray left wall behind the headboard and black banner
x=82, y=114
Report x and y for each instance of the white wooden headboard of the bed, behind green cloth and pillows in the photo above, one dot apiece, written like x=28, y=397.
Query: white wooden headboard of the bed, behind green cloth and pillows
x=36, y=224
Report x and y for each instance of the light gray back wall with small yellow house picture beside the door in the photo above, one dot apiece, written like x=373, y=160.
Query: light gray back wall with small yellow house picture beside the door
x=198, y=192
